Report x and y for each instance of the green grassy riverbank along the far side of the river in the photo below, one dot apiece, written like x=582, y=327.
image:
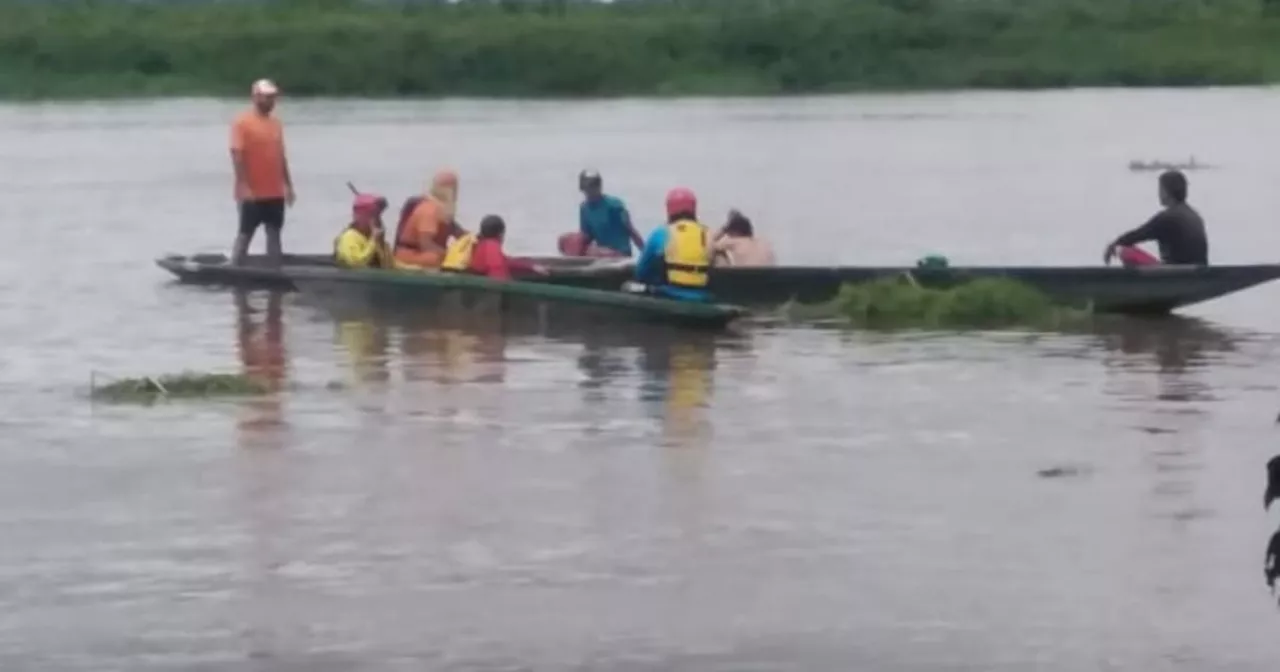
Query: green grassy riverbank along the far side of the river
x=548, y=48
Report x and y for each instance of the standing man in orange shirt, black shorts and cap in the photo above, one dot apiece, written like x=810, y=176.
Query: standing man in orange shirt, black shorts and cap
x=263, y=182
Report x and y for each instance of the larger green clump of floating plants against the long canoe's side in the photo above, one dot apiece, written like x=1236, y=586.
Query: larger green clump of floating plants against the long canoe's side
x=989, y=303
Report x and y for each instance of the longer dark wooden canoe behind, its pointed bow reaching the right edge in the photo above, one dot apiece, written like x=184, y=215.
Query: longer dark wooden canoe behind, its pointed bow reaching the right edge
x=1154, y=290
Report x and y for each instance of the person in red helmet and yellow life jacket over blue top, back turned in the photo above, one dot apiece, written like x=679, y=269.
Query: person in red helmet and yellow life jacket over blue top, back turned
x=678, y=257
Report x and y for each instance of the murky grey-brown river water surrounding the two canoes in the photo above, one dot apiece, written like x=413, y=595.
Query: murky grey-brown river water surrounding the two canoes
x=778, y=499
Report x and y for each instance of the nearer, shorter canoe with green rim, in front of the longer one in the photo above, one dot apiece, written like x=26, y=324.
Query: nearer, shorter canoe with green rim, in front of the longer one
x=450, y=296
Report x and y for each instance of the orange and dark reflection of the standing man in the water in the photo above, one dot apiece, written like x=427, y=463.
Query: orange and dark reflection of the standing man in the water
x=263, y=355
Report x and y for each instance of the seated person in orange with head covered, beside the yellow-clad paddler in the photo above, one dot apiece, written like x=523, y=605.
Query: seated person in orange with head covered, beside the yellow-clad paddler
x=428, y=225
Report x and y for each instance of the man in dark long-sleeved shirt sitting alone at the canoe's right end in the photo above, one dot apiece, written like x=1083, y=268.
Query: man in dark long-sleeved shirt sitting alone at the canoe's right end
x=1178, y=230
